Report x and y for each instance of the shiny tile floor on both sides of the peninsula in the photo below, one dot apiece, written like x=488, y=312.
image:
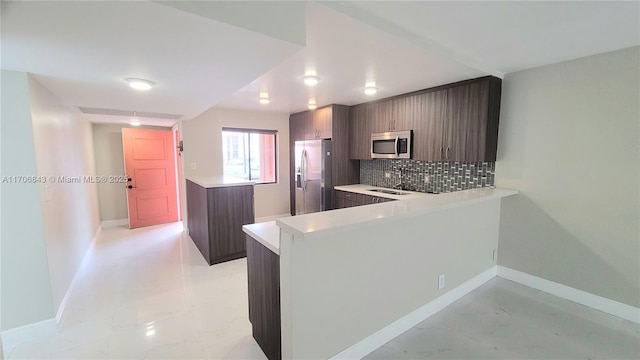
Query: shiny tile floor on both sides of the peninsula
x=148, y=293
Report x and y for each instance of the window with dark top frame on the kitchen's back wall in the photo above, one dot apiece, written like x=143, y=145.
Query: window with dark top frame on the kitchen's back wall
x=249, y=154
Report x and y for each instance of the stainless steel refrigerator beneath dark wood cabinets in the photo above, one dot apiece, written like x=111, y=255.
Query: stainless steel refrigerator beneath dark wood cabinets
x=313, y=176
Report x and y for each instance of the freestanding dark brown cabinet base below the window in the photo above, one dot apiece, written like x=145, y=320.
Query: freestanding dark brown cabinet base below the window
x=215, y=219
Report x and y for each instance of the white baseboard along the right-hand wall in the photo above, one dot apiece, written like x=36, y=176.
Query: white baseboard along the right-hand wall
x=572, y=294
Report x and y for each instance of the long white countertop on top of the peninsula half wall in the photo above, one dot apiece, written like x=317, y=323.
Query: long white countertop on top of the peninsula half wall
x=322, y=223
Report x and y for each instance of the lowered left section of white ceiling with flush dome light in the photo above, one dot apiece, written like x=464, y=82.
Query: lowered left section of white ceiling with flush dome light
x=83, y=50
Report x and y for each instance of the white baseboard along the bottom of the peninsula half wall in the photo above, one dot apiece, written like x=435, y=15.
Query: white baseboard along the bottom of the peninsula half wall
x=382, y=336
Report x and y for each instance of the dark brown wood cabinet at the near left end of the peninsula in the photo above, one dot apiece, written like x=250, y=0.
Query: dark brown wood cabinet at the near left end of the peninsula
x=263, y=273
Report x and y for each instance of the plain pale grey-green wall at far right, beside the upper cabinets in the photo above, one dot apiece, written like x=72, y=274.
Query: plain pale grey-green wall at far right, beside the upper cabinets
x=569, y=141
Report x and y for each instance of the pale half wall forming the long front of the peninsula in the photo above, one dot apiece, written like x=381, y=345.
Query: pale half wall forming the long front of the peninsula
x=339, y=289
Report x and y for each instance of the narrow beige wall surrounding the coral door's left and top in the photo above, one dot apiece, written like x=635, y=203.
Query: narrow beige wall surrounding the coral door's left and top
x=107, y=139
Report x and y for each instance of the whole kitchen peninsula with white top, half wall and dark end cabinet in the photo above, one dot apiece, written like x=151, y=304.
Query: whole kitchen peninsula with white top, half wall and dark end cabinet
x=357, y=277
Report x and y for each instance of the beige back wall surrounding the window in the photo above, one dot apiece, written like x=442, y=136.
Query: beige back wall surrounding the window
x=203, y=146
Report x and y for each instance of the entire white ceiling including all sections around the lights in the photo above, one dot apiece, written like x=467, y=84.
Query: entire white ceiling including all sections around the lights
x=203, y=54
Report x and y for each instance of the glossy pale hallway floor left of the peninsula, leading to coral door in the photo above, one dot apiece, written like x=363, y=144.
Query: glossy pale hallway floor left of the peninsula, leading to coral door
x=148, y=293
